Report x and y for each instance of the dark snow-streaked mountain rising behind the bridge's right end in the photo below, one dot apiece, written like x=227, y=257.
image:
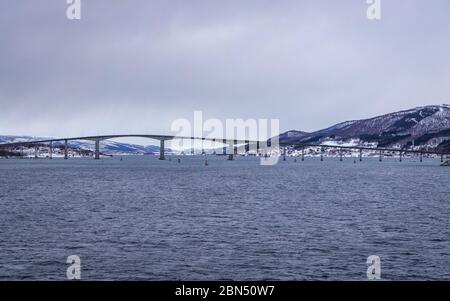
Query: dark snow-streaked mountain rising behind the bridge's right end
x=422, y=127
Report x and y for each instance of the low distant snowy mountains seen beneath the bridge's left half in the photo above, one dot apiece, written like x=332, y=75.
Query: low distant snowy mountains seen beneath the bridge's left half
x=106, y=147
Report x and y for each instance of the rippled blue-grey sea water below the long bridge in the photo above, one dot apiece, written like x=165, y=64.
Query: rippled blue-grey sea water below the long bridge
x=142, y=218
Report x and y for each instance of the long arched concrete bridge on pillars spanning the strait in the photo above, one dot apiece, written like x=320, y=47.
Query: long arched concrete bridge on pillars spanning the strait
x=230, y=147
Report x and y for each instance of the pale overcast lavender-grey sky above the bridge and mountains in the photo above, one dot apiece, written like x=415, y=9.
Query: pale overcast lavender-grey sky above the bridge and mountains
x=136, y=66
